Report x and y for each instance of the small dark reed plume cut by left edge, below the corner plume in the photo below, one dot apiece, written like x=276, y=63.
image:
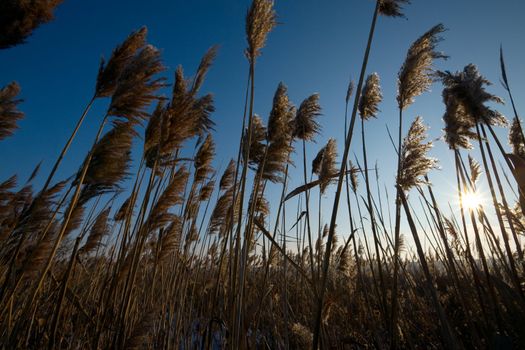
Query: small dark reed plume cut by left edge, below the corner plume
x=9, y=114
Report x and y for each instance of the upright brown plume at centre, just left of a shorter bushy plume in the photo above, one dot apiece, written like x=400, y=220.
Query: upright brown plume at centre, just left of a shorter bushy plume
x=279, y=136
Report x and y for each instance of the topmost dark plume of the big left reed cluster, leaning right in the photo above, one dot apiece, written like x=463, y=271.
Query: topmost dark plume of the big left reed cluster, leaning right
x=109, y=74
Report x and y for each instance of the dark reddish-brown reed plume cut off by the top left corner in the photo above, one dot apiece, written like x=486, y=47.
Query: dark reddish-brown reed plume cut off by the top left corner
x=18, y=19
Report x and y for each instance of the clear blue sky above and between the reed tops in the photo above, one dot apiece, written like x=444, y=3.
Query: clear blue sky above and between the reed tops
x=316, y=47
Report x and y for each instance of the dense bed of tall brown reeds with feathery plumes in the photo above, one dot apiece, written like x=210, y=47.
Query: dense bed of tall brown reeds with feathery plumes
x=174, y=254
